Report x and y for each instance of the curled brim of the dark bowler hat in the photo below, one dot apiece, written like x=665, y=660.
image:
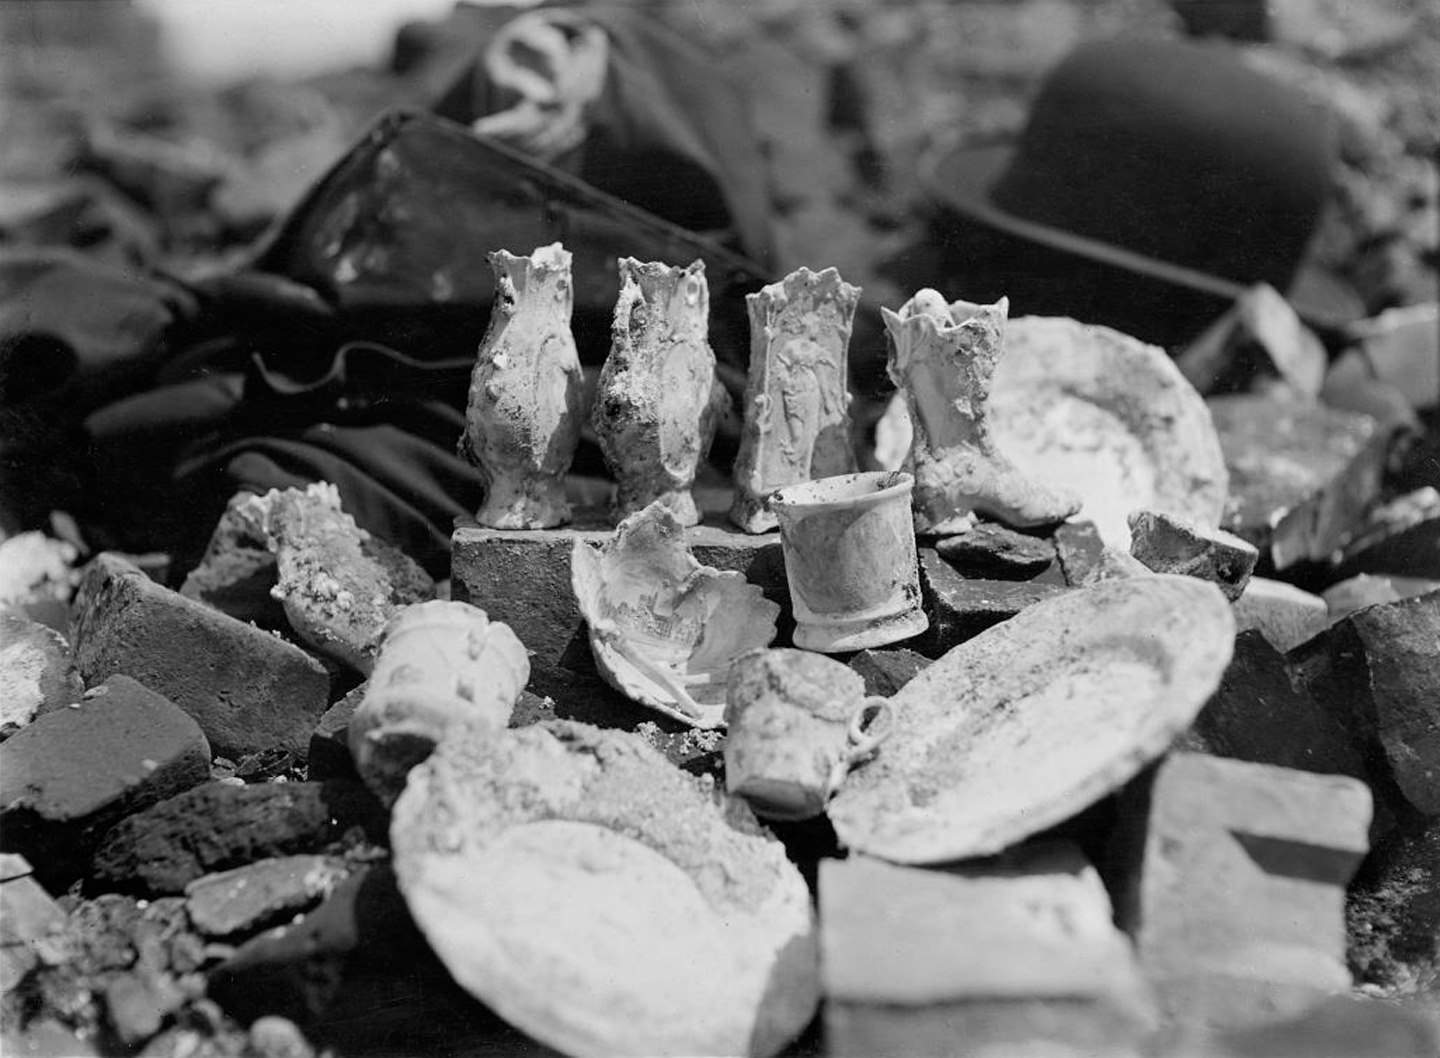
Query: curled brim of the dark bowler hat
x=963, y=178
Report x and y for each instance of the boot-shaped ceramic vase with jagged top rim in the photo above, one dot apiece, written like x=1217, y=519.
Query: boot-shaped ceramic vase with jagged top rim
x=944, y=359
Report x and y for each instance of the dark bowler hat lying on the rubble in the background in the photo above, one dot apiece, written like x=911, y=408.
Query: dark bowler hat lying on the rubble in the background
x=1167, y=159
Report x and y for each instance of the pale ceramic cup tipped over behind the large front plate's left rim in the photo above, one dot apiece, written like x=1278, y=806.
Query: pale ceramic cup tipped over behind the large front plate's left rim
x=443, y=664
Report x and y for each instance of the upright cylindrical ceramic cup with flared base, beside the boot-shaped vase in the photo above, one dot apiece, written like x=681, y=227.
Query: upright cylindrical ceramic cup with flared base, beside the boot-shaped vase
x=850, y=561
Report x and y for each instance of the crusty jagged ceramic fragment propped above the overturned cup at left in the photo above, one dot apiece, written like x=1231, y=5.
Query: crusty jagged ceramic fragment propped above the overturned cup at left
x=338, y=584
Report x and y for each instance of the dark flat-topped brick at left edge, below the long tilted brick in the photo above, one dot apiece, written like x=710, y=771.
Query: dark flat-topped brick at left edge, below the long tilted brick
x=74, y=774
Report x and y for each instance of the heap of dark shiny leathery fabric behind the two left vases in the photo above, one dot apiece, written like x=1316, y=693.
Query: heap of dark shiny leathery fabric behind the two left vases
x=341, y=348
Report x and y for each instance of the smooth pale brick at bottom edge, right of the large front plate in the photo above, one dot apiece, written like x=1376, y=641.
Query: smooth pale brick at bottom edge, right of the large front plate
x=996, y=958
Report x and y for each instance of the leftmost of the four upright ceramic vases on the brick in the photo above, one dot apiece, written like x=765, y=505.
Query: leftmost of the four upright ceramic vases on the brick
x=523, y=418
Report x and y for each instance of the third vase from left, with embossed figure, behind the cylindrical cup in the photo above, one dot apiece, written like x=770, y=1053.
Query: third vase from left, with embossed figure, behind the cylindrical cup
x=797, y=399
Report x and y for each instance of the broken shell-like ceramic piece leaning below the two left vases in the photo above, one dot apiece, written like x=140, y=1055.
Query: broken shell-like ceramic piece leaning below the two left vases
x=665, y=628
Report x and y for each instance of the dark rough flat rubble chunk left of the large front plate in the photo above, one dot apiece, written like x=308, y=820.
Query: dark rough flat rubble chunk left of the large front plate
x=220, y=827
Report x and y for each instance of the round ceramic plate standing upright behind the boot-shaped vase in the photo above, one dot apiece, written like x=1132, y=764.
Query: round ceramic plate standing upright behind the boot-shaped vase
x=1101, y=414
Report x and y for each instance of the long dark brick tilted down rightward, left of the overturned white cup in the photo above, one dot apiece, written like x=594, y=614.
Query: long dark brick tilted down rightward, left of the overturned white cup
x=248, y=689
